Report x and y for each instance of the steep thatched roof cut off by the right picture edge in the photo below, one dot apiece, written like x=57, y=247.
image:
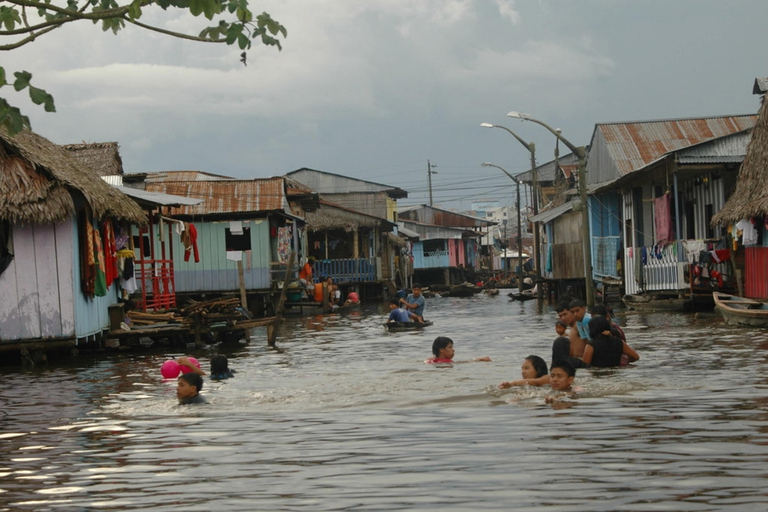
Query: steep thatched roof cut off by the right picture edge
x=750, y=199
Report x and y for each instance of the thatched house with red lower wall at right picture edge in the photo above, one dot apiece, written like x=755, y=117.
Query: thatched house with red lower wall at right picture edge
x=749, y=204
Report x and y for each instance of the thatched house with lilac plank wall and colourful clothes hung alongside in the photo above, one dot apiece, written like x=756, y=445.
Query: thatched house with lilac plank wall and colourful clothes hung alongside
x=55, y=266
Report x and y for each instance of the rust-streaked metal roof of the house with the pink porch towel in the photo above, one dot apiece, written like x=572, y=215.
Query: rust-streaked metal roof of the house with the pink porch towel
x=634, y=145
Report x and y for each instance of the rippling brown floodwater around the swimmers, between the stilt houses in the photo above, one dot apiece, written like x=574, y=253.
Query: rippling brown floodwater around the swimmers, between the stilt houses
x=345, y=415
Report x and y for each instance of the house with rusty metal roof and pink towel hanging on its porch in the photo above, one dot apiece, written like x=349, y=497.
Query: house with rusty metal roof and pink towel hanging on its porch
x=654, y=189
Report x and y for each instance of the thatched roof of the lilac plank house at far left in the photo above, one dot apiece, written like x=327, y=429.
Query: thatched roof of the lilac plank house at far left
x=38, y=180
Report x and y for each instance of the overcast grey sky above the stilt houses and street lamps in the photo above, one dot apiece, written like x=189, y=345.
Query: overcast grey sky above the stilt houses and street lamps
x=374, y=89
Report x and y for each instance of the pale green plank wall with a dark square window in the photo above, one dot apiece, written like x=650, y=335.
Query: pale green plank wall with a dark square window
x=215, y=272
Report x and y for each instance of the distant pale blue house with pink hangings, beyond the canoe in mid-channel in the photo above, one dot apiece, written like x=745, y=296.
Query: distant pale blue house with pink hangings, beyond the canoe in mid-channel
x=448, y=244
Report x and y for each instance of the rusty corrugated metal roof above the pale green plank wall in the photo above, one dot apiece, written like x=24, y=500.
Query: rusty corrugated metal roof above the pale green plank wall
x=226, y=196
